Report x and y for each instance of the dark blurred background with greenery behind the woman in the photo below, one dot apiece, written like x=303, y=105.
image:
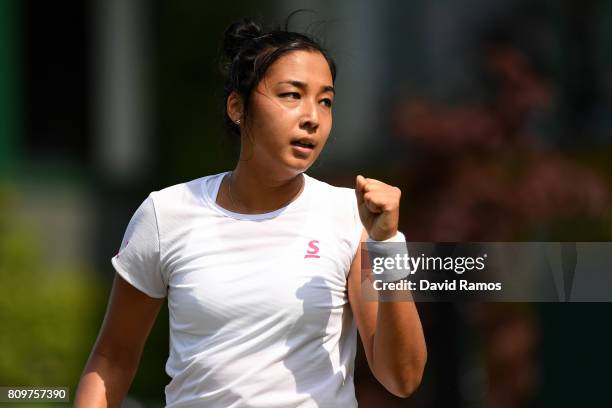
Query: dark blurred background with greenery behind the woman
x=495, y=119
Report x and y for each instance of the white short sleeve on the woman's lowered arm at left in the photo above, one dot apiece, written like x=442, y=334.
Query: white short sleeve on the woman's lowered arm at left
x=138, y=259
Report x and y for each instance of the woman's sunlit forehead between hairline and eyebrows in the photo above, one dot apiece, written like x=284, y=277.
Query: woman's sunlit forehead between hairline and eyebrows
x=310, y=67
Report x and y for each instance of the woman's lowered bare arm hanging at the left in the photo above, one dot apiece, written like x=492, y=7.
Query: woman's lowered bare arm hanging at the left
x=114, y=359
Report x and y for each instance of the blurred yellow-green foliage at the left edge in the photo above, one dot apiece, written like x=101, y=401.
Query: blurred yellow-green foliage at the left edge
x=50, y=313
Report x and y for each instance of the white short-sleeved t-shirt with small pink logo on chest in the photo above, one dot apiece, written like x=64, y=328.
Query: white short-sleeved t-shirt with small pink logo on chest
x=258, y=304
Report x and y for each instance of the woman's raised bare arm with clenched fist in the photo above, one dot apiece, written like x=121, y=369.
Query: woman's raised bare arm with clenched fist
x=391, y=331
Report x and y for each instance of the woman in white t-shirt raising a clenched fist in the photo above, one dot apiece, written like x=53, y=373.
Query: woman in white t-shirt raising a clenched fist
x=260, y=265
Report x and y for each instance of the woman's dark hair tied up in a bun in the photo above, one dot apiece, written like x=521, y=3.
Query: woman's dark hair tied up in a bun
x=249, y=52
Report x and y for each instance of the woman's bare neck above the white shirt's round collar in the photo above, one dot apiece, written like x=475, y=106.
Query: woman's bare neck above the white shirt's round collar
x=253, y=191
